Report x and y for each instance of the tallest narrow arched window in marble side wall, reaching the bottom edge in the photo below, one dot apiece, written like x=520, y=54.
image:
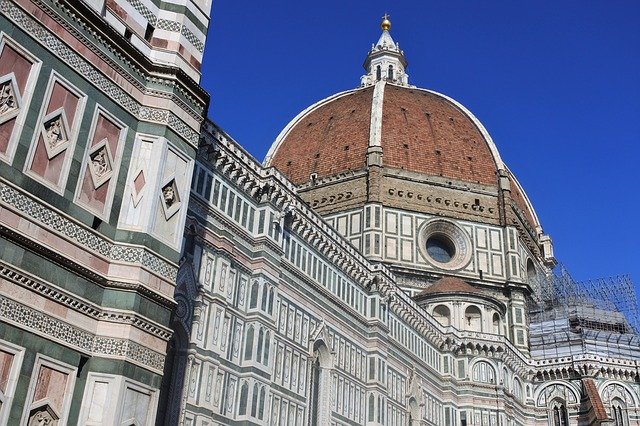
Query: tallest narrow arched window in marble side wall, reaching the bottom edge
x=319, y=385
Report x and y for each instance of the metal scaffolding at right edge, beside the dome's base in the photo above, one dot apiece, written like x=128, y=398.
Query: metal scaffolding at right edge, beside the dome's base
x=600, y=316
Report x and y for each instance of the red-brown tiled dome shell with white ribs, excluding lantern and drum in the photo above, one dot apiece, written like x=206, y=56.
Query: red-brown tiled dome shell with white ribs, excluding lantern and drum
x=417, y=130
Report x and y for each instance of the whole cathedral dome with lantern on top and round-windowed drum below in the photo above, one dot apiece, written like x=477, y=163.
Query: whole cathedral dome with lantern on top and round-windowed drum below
x=388, y=144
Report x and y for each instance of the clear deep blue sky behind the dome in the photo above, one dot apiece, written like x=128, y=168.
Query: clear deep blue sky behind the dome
x=556, y=84
